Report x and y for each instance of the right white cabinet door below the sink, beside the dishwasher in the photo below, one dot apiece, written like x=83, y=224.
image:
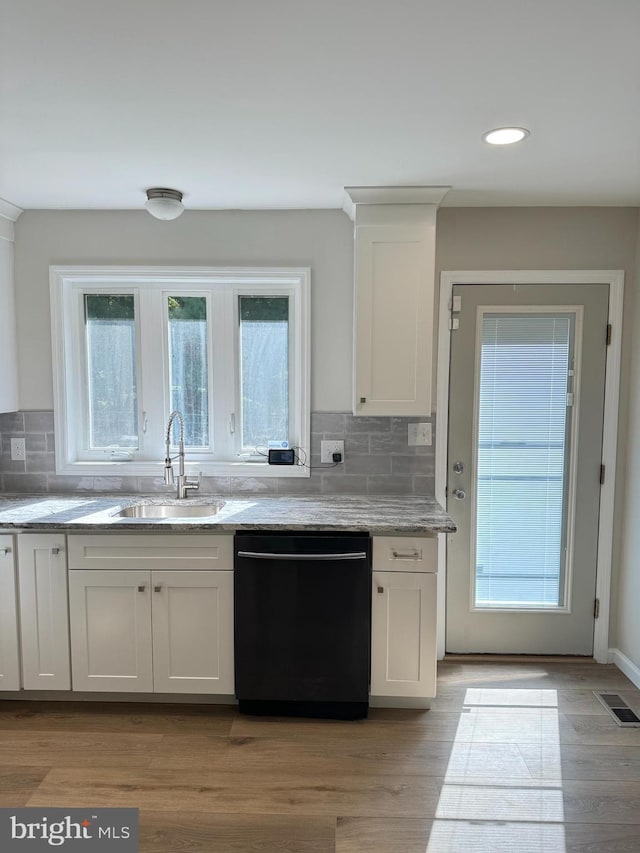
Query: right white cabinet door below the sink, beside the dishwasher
x=193, y=632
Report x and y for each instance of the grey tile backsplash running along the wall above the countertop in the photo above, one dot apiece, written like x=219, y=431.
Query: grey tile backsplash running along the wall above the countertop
x=378, y=460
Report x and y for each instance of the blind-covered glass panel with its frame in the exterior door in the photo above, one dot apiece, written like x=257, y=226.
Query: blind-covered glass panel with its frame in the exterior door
x=524, y=438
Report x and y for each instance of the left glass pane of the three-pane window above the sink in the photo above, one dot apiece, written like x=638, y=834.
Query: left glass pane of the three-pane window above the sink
x=111, y=382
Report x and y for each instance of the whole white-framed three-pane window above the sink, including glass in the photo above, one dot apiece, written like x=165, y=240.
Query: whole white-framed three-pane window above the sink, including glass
x=229, y=349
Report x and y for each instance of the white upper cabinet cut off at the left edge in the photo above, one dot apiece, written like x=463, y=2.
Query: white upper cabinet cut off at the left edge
x=8, y=355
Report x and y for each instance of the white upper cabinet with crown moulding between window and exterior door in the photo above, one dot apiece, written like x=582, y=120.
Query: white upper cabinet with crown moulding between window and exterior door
x=393, y=300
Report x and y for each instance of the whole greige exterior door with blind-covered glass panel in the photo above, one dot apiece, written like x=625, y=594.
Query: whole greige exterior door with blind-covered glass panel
x=526, y=406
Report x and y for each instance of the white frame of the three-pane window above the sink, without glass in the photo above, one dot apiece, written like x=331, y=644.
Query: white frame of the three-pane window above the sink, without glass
x=67, y=287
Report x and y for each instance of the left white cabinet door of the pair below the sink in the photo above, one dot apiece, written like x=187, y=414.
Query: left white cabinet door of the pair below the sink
x=111, y=630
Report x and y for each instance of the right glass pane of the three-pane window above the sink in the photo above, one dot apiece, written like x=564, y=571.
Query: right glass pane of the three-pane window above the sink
x=264, y=370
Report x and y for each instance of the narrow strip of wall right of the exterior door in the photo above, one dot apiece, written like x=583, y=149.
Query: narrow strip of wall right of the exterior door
x=627, y=638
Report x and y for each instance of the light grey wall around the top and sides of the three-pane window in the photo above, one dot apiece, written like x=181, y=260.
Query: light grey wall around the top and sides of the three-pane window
x=322, y=240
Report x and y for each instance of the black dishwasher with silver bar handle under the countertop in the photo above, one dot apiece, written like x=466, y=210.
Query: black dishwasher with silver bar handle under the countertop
x=303, y=623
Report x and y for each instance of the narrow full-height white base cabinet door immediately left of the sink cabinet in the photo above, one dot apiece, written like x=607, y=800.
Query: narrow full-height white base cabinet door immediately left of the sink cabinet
x=44, y=611
